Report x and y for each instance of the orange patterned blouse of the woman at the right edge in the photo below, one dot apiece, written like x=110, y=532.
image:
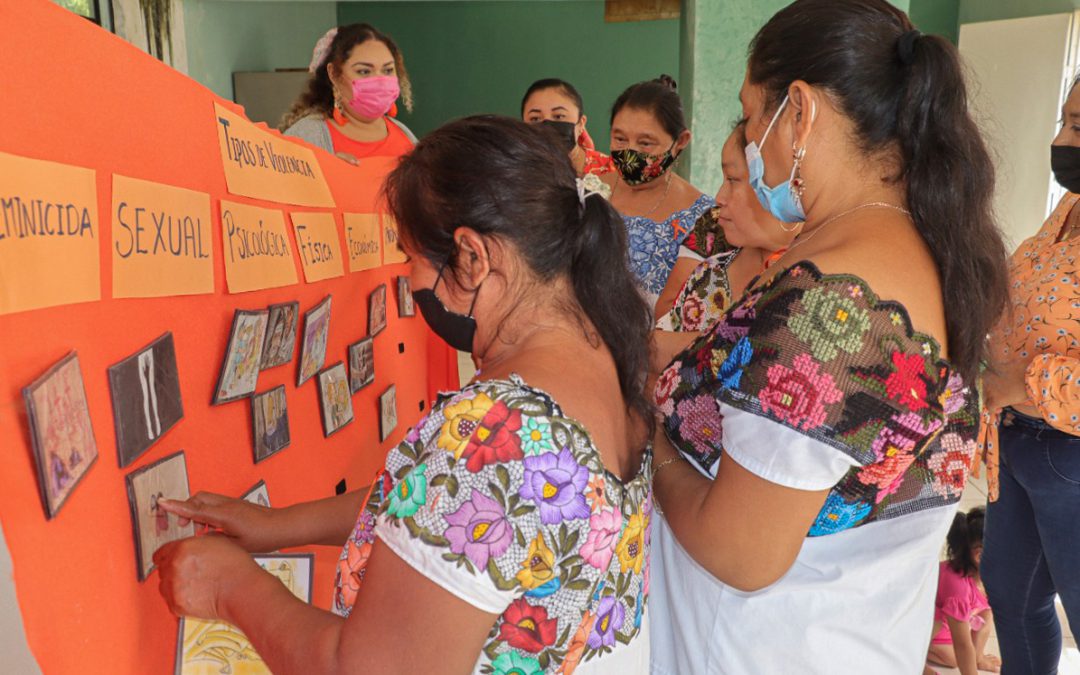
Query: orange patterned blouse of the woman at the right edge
x=1045, y=300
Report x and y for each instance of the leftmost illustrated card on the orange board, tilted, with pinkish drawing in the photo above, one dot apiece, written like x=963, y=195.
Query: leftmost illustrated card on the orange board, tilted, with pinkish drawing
x=61, y=431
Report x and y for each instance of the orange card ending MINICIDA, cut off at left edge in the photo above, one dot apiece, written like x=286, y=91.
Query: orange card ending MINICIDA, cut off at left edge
x=50, y=252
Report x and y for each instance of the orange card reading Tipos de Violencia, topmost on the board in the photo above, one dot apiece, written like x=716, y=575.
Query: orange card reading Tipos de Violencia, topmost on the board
x=264, y=166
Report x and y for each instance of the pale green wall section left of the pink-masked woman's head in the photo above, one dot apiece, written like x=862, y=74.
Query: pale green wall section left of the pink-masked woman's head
x=227, y=36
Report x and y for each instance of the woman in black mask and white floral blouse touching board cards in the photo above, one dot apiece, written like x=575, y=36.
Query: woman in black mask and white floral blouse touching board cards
x=509, y=532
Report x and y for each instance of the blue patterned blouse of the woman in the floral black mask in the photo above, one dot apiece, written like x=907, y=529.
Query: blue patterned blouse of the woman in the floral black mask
x=655, y=245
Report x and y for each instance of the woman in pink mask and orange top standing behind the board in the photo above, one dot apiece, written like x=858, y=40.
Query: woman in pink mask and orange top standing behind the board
x=349, y=109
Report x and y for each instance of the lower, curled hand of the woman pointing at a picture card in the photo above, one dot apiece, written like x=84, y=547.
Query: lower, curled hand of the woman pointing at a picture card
x=198, y=575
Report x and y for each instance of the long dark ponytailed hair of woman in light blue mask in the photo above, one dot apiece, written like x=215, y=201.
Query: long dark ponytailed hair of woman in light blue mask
x=909, y=98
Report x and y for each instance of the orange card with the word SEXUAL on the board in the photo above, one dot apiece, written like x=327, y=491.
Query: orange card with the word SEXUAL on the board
x=163, y=244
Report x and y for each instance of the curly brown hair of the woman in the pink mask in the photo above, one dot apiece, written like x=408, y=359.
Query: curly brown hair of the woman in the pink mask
x=319, y=97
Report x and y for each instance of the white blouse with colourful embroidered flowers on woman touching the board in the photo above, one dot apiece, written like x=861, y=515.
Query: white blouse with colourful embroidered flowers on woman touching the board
x=502, y=499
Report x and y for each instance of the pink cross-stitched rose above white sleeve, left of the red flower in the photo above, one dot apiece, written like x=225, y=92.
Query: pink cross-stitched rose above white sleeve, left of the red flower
x=799, y=396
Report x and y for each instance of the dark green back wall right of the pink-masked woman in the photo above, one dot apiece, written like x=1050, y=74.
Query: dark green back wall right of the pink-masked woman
x=469, y=58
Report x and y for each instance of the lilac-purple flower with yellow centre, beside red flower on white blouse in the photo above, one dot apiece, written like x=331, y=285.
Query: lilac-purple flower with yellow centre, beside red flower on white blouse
x=557, y=483
